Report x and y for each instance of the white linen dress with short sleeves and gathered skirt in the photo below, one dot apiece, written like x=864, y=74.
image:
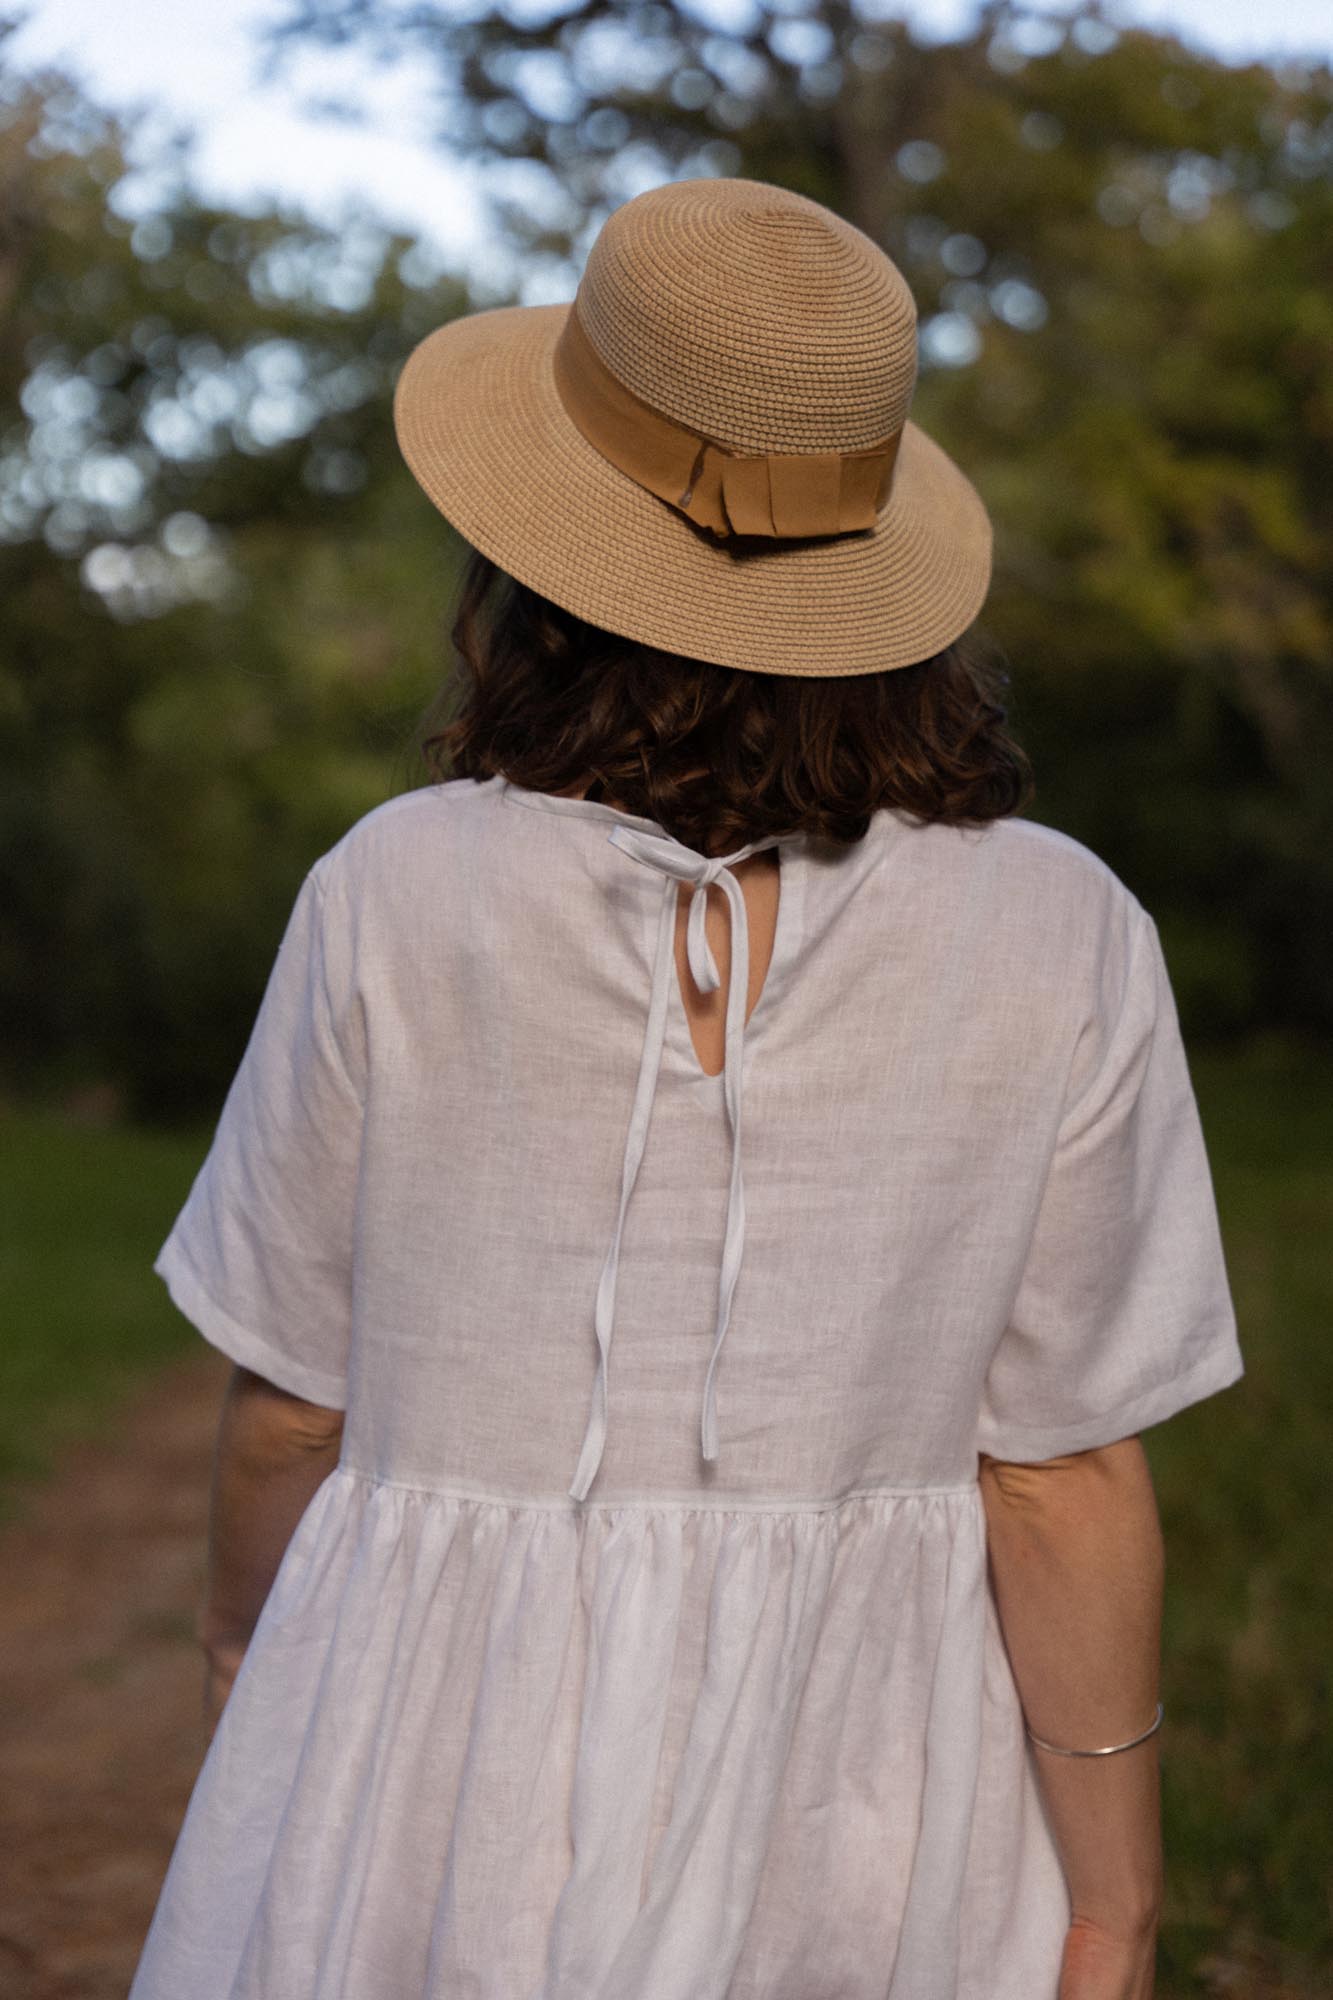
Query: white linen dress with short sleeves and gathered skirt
x=641, y=1645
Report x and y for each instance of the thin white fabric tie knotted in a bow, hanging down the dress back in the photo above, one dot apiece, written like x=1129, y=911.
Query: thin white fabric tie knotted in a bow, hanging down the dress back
x=680, y=865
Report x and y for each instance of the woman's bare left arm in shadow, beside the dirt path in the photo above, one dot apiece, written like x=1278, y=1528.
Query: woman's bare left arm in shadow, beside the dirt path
x=271, y=1457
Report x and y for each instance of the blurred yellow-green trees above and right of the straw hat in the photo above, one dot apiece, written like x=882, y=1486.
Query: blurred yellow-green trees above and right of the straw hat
x=1120, y=253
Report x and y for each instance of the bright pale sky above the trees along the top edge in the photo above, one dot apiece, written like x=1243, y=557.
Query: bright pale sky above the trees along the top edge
x=193, y=65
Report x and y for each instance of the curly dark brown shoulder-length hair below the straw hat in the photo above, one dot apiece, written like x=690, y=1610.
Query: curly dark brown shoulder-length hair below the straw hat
x=714, y=755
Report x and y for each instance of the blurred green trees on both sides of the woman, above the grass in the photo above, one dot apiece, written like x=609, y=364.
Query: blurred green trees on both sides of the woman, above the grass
x=225, y=597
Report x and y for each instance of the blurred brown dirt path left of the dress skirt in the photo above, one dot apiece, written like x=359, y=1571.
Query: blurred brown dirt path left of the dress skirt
x=101, y=1687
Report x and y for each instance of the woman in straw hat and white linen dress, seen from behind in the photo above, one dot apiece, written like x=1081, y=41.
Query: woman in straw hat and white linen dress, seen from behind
x=704, y=1177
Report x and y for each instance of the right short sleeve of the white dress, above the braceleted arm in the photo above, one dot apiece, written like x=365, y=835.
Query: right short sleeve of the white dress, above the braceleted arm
x=1124, y=1313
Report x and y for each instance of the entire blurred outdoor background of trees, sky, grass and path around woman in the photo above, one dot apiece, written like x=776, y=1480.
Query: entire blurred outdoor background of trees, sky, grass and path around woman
x=223, y=625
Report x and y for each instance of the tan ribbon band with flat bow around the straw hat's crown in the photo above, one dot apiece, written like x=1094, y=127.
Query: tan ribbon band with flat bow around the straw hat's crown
x=782, y=495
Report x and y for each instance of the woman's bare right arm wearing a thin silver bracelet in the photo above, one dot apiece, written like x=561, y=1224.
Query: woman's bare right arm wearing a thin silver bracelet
x=1078, y=1575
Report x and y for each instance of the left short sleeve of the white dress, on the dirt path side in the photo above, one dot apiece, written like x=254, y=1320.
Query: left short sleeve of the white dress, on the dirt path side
x=261, y=1255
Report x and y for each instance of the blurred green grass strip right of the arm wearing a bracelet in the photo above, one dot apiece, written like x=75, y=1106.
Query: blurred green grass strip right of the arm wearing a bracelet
x=1248, y=1759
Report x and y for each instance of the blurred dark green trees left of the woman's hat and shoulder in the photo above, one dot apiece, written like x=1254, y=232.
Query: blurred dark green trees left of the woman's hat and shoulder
x=217, y=593
